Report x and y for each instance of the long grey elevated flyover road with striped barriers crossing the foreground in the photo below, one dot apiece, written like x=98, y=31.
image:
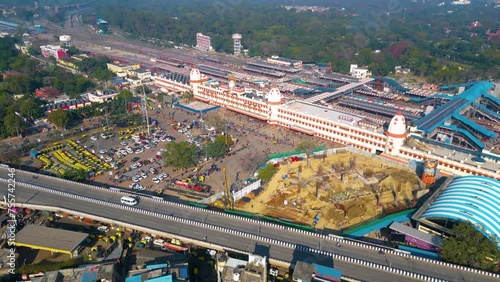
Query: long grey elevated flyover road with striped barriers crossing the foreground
x=300, y=245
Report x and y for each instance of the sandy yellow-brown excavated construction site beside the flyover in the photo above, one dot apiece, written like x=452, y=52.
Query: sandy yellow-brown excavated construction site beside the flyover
x=335, y=191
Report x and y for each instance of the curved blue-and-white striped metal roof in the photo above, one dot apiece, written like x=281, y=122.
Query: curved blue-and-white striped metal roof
x=475, y=199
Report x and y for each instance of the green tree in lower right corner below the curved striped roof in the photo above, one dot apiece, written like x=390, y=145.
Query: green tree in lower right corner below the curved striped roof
x=469, y=247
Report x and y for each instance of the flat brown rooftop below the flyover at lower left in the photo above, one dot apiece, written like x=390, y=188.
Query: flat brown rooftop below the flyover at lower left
x=42, y=237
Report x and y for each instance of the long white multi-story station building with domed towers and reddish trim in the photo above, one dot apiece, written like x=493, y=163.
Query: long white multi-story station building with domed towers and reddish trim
x=338, y=126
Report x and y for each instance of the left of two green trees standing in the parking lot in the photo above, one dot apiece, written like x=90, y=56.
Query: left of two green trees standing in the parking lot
x=180, y=154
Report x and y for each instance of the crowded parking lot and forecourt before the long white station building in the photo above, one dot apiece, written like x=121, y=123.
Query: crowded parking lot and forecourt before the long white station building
x=140, y=167
